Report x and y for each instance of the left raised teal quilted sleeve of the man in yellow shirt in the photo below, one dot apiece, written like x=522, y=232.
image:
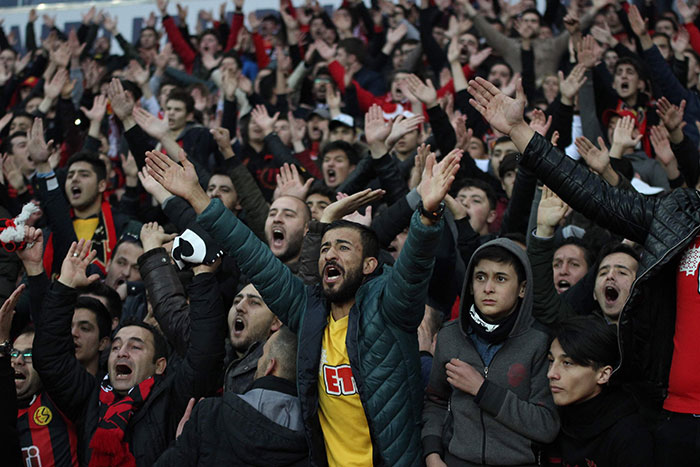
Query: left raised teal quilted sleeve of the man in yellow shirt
x=281, y=291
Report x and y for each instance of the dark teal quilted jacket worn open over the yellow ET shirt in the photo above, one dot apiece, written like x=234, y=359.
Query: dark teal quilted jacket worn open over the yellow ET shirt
x=381, y=338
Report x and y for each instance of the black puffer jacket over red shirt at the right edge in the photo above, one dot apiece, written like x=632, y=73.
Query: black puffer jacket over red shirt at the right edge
x=664, y=226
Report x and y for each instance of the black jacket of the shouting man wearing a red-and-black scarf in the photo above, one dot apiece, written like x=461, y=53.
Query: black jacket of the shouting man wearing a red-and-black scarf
x=76, y=392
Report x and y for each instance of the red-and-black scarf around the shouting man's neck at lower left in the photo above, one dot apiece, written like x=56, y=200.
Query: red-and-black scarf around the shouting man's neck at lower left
x=108, y=444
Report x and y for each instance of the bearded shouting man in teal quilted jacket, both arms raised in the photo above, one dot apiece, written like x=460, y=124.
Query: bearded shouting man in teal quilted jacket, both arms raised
x=362, y=404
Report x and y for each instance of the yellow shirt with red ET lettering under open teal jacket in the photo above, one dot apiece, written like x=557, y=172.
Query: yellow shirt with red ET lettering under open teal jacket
x=343, y=421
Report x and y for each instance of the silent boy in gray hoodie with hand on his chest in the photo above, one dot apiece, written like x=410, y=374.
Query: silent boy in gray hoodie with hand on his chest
x=488, y=400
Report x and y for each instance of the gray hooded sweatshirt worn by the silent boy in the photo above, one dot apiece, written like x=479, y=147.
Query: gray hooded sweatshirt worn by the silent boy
x=513, y=412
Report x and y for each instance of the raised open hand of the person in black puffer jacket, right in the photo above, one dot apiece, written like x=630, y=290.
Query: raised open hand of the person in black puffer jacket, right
x=501, y=111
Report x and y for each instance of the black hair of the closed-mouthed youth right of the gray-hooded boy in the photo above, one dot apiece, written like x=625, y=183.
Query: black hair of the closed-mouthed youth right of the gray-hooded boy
x=589, y=341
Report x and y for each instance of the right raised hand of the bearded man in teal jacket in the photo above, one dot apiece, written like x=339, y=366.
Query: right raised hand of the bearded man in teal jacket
x=437, y=178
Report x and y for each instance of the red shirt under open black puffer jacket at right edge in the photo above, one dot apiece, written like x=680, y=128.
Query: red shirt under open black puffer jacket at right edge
x=684, y=378
